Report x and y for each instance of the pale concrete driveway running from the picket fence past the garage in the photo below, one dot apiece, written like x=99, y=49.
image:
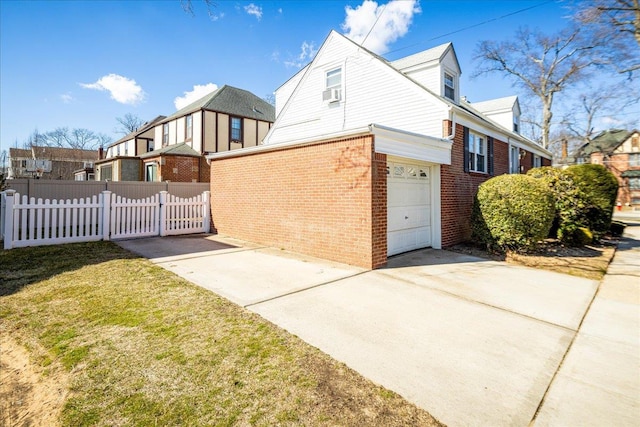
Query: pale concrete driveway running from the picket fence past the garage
x=473, y=342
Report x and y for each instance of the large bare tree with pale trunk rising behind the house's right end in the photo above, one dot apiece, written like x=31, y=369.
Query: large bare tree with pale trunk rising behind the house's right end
x=543, y=65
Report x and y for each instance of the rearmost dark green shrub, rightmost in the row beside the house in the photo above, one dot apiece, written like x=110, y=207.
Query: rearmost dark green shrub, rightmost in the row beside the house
x=600, y=188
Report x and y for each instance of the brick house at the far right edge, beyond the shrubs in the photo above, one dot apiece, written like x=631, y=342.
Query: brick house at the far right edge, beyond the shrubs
x=619, y=151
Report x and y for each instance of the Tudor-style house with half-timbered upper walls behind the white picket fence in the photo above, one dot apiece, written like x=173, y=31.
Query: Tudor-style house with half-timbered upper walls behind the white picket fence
x=173, y=148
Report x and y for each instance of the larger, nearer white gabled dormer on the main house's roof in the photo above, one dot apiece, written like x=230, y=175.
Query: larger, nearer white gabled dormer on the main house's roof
x=437, y=69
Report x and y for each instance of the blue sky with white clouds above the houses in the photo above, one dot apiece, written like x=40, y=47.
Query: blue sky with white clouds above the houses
x=82, y=64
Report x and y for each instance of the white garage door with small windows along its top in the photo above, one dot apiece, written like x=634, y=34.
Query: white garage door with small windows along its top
x=408, y=208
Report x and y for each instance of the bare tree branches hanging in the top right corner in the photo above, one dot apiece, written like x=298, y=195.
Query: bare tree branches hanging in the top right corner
x=618, y=23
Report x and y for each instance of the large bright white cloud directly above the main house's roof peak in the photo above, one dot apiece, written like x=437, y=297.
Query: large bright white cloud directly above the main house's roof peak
x=394, y=20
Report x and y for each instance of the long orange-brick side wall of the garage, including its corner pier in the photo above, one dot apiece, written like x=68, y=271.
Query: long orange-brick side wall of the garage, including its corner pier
x=315, y=199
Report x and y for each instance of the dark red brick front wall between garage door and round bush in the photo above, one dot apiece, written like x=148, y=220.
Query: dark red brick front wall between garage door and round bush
x=458, y=188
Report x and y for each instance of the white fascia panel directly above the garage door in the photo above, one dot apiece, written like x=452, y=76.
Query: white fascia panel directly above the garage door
x=411, y=145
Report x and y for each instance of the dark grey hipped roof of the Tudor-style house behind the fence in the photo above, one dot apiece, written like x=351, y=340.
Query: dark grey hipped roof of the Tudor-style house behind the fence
x=233, y=101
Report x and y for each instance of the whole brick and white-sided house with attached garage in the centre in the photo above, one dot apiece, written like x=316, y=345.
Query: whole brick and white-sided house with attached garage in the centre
x=369, y=158
